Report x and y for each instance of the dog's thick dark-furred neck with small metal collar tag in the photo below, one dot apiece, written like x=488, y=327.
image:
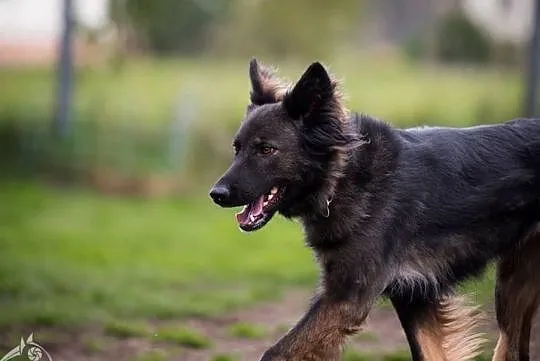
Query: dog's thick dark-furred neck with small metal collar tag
x=359, y=174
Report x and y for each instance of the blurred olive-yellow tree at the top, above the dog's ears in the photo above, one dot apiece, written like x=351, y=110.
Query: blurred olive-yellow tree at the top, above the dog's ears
x=313, y=28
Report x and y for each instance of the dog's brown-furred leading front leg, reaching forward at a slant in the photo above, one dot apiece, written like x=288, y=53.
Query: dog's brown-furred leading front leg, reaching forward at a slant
x=321, y=332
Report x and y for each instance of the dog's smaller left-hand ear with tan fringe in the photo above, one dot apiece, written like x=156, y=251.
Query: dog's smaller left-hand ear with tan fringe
x=266, y=87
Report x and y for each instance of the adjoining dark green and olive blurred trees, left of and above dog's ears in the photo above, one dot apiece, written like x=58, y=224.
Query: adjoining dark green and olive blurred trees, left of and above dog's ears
x=278, y=27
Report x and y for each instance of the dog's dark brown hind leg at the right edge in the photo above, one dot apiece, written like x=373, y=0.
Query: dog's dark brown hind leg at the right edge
x=517, y=296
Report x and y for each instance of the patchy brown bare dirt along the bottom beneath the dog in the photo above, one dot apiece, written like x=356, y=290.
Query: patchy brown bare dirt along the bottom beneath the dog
x=382, y=334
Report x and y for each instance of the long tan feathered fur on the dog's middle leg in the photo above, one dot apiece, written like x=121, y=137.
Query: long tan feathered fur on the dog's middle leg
x=448, y=333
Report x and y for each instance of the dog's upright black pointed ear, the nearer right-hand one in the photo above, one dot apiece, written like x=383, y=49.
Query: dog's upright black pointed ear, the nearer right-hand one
x=311, y=92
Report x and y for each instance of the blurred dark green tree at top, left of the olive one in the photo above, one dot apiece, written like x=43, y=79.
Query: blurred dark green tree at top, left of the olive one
x=168, y=26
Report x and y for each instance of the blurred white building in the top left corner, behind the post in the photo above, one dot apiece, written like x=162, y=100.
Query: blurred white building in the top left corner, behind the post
x=30, y=29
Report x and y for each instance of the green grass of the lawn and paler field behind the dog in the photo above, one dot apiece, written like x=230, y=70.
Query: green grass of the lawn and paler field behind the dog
x=71, y=258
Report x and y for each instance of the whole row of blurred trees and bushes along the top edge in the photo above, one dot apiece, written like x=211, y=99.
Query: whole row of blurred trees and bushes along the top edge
x=303, y=29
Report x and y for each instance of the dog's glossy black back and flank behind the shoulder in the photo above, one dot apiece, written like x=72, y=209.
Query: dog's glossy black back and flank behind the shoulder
x=463, y=196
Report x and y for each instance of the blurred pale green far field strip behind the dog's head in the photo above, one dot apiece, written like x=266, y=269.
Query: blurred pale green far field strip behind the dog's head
x=125, y=120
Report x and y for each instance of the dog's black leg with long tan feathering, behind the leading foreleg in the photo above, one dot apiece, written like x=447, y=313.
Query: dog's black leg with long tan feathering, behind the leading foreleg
x=439, y=329
